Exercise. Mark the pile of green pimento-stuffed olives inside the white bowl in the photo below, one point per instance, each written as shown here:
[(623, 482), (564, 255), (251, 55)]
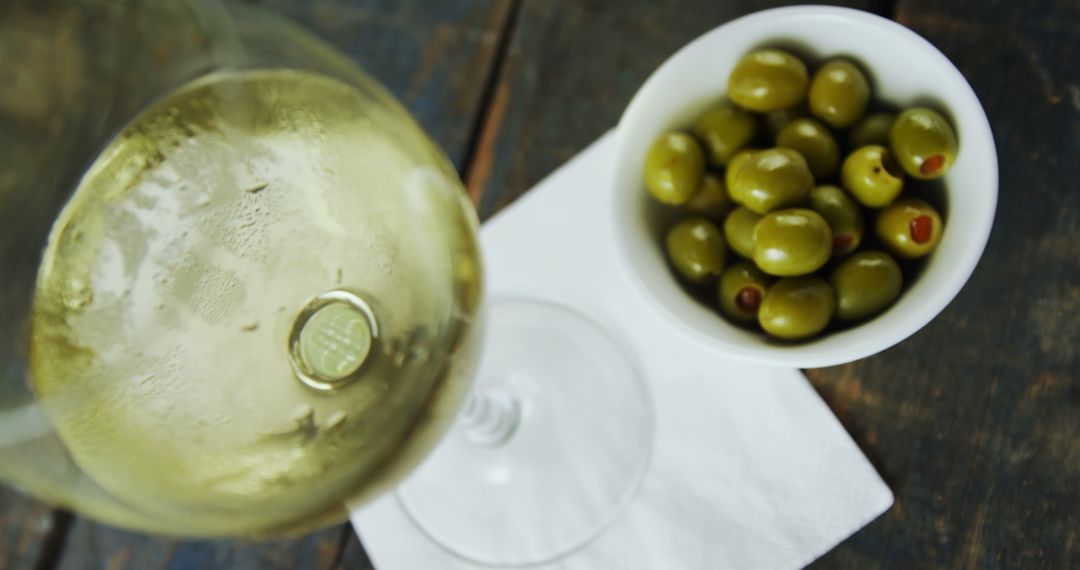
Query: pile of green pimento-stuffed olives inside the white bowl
[(793, 215)]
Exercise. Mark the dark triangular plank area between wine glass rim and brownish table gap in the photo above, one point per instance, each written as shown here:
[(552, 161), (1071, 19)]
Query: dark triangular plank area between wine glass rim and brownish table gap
[(435, 57)]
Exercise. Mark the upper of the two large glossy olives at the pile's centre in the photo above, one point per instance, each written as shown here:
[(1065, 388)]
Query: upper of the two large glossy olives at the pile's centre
[(773, 180)]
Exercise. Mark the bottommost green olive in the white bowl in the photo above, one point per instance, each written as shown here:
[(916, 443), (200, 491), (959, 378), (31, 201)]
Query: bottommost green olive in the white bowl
[(798, 308)]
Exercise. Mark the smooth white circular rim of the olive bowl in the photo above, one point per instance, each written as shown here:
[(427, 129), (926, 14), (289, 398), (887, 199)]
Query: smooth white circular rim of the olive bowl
[(817, 354)]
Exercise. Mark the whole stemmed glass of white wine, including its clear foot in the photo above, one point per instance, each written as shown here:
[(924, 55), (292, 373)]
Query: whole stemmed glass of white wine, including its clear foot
[(242, 294)]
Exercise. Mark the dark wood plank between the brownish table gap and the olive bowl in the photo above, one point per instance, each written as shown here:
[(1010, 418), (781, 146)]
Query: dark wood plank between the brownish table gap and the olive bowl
[(572, 70)]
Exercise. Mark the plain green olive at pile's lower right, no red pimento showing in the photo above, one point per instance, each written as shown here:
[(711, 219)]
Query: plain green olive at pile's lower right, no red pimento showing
[(866, 284)]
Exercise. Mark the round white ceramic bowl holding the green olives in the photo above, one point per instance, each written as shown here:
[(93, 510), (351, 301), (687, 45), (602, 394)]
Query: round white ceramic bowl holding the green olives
[(904, 71)]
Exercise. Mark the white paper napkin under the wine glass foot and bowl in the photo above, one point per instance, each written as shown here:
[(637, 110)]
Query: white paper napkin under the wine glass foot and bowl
[(751, 470)]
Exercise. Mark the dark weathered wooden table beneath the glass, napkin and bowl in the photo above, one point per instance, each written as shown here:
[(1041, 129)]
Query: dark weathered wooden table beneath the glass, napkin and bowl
[(975, 423)]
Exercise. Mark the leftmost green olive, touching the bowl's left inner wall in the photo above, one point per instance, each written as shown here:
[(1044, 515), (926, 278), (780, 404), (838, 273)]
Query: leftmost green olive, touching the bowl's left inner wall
[(674, 168)]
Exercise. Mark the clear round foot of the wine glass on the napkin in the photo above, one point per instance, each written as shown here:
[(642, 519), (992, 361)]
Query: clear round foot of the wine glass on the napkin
[(550, 451)]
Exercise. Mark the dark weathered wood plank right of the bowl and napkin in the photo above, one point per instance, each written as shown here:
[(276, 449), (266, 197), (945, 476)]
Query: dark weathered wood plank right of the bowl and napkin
[(976, 422)]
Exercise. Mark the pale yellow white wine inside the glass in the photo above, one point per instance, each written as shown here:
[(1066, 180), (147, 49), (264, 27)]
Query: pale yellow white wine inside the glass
[(260, 302)]
